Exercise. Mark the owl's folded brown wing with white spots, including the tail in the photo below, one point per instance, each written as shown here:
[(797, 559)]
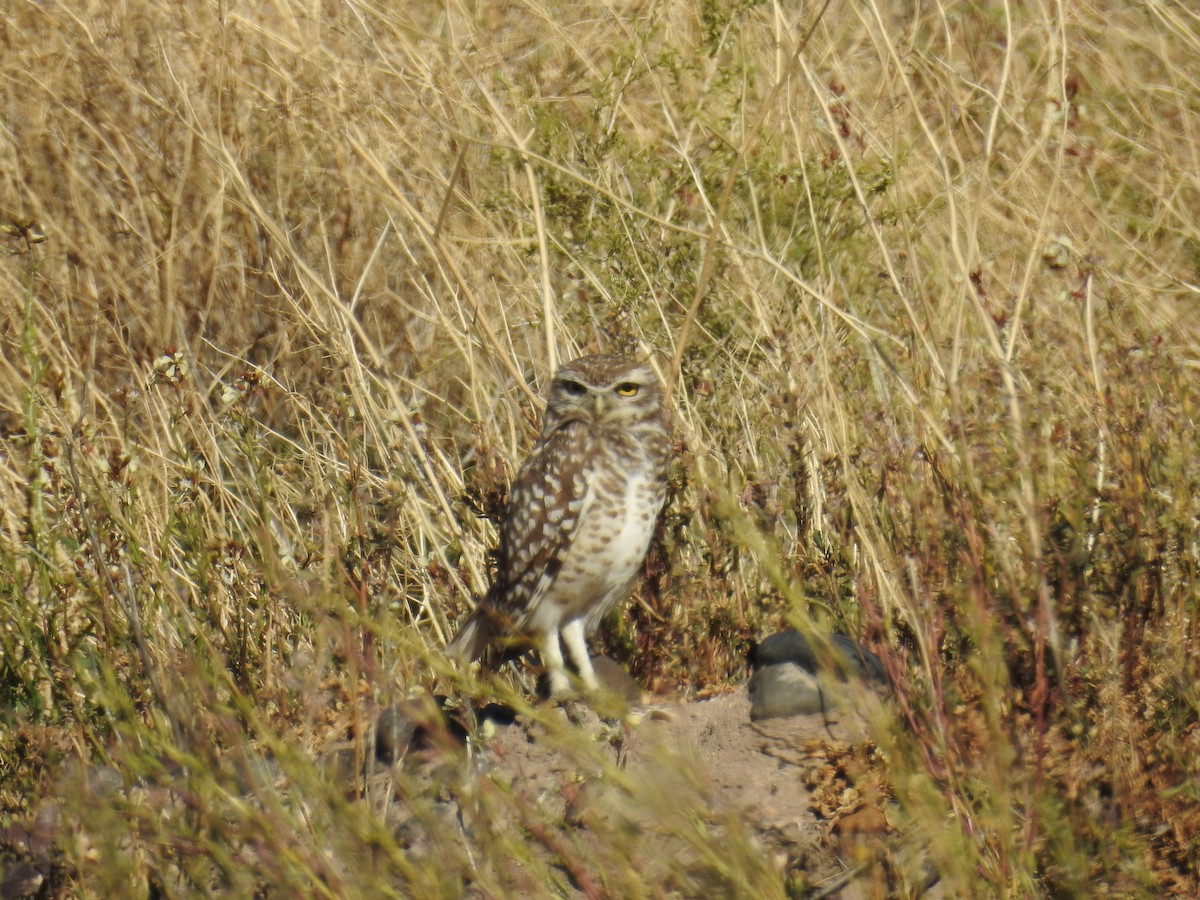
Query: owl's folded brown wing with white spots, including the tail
[(549, 500)]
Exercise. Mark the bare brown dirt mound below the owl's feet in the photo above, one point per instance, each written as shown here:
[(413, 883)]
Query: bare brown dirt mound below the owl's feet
[(807, 795)]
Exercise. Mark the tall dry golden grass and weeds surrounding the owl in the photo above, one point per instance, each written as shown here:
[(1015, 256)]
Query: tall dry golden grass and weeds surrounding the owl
[(931, 283)]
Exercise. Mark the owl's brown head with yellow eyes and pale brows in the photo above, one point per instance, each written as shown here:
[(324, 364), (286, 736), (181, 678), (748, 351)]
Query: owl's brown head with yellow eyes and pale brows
[(604, 389)]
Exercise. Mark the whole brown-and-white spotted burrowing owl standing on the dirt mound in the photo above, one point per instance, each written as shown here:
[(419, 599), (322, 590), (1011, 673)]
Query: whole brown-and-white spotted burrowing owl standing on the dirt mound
[(580, 517)]
